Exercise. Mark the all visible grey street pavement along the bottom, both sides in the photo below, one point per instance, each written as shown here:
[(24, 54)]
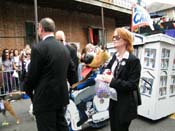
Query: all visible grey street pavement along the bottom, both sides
[(28, 124)]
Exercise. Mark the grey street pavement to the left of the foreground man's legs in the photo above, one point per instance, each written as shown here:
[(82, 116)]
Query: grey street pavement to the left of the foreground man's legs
[(27, 123)]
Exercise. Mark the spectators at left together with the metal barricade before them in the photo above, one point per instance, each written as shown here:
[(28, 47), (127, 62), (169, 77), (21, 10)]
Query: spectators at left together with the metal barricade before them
[(14, 65)]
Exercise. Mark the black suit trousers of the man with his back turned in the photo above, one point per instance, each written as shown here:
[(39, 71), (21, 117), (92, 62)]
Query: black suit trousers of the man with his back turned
[(52, 121)]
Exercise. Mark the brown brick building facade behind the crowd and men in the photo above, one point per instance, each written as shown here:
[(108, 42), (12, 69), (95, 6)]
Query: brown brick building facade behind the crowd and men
[(17, 24)]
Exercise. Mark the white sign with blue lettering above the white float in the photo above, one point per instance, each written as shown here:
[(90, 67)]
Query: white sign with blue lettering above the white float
[(140, 17)]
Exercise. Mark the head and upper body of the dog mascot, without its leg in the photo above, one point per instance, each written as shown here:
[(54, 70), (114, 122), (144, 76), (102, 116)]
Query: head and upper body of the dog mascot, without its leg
[(94, 58)]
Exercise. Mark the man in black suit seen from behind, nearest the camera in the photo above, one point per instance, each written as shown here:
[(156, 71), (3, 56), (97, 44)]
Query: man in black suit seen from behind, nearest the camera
[(47, 79)]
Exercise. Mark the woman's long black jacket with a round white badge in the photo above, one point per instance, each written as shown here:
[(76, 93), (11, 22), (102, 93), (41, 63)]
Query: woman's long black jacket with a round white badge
[(126, 83)]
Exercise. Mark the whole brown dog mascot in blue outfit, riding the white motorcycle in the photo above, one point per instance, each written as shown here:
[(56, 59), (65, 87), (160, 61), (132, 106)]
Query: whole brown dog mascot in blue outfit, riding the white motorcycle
[(94, 58)]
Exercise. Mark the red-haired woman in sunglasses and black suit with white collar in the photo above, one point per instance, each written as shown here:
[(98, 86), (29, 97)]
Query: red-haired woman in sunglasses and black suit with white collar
[(123, 80)]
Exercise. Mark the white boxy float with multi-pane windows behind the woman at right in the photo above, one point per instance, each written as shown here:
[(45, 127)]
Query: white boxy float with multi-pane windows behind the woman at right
[(157, 84)]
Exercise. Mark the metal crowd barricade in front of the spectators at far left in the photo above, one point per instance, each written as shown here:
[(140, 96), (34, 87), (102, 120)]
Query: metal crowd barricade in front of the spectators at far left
[(9, 82)]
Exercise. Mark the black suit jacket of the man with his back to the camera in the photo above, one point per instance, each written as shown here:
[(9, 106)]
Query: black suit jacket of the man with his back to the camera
[(47, 76)]
